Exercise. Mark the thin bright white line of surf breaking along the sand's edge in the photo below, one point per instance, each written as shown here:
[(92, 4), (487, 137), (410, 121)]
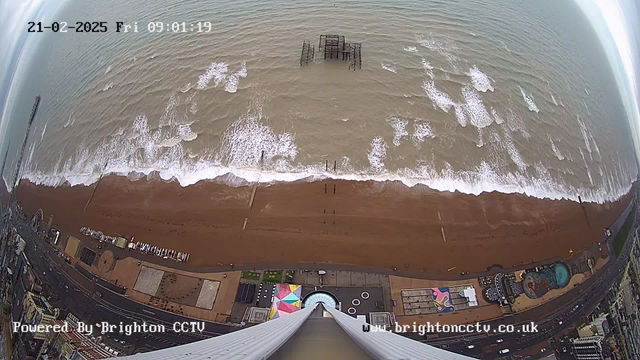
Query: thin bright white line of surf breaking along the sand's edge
[(463, 182)]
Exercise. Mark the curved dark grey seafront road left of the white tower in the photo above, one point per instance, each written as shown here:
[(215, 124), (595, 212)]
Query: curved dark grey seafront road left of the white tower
[(78, 294)]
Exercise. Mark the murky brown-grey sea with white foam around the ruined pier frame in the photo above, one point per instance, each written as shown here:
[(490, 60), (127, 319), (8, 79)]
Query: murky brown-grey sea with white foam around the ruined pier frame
[(514, 96)]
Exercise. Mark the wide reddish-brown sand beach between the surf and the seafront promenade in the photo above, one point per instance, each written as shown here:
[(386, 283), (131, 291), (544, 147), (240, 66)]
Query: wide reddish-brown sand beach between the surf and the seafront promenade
[(375, 224)]
